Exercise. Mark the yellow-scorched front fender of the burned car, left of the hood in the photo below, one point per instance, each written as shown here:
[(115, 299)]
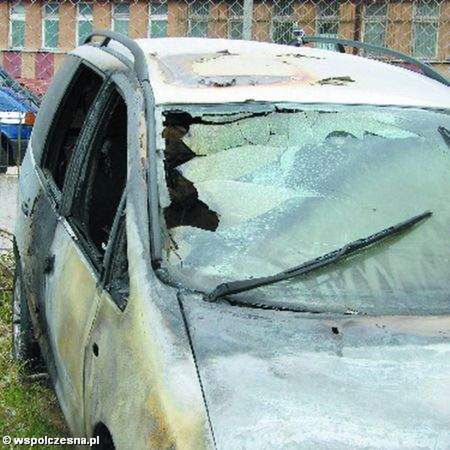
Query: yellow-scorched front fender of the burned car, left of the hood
[(141, 378)]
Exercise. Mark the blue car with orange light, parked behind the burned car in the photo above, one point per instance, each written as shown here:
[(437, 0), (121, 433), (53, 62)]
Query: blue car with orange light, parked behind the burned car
[(18, 108)]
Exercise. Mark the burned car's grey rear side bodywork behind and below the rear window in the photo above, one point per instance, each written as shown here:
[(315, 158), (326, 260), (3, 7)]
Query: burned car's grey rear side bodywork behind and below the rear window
[(37, 211)]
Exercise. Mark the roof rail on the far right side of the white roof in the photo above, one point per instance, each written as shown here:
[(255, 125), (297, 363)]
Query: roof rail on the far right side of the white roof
[(301, 38)]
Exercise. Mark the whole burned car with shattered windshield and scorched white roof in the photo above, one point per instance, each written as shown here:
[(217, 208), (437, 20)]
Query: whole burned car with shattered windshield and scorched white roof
[(229, 244)]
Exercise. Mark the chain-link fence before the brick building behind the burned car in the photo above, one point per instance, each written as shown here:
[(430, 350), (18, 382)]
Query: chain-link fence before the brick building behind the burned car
[(35, 34)]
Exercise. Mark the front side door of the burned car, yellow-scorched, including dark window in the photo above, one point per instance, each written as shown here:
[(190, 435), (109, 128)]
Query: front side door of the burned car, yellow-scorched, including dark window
[(93, 188)]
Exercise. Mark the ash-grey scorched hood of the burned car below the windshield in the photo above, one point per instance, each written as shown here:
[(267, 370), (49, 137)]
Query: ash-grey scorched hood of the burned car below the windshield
[(279, 379)]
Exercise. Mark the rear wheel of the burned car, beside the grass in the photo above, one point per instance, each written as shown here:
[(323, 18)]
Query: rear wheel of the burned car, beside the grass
[(25, 348)]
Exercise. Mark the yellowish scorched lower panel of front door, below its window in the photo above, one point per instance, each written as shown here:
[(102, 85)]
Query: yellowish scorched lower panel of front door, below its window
[(70, 308)]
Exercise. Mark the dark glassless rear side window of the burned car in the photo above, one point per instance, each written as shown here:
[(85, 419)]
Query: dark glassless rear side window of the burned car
[(68, 122)]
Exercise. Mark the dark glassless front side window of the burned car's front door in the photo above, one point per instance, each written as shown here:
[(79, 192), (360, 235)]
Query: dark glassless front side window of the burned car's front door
[(102, 181)]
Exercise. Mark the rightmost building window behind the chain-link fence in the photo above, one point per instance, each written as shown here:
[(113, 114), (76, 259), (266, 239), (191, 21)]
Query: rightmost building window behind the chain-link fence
[(425, 28)]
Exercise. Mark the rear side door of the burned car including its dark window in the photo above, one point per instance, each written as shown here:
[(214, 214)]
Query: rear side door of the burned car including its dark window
[(58, 128)]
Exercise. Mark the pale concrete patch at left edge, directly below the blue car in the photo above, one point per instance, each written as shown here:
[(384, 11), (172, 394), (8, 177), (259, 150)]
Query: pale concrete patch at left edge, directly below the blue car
[(8, 201)]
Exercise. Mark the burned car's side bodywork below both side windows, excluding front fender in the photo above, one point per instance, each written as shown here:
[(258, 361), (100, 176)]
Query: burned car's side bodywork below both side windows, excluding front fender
[(60, 288)]
